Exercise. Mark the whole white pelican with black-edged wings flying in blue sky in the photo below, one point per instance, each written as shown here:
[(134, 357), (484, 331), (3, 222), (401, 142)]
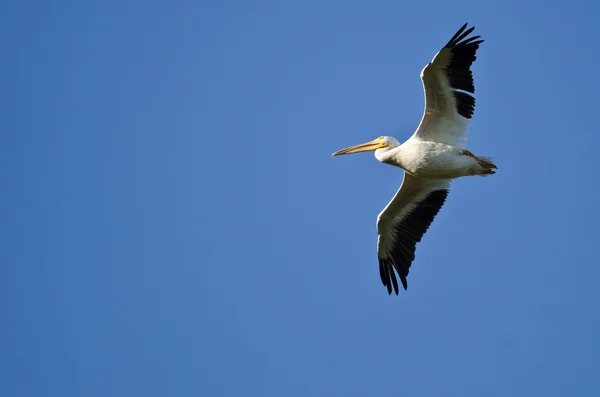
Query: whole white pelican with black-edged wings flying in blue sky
[(433, 156)]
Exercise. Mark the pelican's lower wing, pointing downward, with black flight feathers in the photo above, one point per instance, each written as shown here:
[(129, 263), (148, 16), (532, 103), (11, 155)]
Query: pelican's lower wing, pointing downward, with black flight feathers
[(402, 224)]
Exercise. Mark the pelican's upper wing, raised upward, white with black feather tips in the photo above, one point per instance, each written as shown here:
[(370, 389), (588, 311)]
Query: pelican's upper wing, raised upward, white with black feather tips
[(448, 85)]
